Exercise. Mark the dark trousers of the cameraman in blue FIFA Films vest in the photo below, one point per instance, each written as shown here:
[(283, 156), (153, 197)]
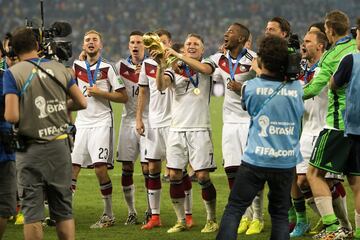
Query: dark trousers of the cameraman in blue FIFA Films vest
[(249, 181)]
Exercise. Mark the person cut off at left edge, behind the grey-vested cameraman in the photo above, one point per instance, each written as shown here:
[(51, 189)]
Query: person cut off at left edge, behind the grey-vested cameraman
[(7, 156)]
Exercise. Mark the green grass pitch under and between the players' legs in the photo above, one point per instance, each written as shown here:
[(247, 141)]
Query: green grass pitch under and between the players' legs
[(88, 204)]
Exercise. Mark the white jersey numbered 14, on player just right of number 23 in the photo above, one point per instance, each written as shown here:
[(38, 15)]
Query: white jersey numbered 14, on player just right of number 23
[(127, 72)]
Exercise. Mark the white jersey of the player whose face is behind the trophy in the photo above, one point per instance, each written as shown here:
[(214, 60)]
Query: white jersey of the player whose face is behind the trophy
[(160, 101)]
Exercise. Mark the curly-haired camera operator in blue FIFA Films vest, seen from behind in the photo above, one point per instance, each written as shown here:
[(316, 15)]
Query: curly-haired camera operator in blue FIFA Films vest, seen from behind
[(273, 148)]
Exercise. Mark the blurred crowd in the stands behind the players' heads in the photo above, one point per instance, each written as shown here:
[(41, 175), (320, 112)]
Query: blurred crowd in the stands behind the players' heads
[(116, 19)]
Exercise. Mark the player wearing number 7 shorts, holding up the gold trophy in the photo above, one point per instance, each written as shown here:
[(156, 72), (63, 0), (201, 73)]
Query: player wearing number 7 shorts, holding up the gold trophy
[(189, 139)]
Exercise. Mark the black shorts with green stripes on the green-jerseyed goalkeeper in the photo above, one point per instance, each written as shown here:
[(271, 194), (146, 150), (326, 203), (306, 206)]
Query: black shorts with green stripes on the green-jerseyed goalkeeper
[(333, 152)]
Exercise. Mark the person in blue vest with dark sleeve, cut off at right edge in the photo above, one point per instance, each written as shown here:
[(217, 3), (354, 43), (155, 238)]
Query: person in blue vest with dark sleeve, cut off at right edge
[(348, 74)]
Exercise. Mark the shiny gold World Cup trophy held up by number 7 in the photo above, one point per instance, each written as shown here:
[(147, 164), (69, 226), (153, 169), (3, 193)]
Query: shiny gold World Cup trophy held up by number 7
[(153, 42)]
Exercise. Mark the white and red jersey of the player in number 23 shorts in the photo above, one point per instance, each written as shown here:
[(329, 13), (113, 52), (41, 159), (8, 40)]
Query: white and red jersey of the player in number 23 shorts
[(98, 111)]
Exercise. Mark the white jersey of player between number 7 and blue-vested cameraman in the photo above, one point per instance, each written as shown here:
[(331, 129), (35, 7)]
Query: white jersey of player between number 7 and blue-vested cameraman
[(232, 110)]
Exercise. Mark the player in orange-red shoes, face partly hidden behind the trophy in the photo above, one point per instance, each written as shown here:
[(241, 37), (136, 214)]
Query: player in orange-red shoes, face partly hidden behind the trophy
[(159, 103)]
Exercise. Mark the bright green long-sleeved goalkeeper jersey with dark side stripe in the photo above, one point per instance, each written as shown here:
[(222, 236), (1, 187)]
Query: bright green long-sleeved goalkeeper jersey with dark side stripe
[(327, 66)]
